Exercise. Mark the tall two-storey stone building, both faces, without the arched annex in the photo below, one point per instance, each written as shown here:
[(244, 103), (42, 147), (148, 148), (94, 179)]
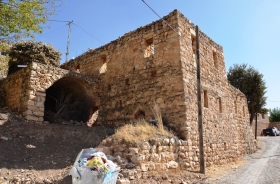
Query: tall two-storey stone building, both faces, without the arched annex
[(169, 76)]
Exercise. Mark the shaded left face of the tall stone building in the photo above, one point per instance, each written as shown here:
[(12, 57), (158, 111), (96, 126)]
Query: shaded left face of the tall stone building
[(133, 78)]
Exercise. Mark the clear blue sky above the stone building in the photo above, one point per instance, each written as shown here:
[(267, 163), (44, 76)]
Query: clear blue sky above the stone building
[(248, 30)]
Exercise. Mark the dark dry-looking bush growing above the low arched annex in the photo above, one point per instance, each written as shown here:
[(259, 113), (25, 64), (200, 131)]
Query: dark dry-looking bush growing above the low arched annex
[(25, 52)]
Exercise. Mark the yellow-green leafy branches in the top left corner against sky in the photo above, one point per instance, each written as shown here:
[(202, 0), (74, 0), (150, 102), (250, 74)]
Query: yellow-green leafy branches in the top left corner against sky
[(23, 18)]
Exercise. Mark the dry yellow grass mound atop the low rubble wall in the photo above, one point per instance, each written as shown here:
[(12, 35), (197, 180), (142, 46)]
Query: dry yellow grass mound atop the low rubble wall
[(141, 131)]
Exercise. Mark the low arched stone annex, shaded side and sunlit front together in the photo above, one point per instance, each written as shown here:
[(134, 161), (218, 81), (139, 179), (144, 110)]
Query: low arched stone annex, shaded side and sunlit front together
[(26, 89)]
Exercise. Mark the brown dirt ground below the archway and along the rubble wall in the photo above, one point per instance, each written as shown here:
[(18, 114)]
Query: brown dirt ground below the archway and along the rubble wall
[(44, 153)]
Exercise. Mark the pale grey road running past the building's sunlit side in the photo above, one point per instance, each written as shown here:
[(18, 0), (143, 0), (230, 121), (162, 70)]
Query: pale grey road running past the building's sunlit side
[(263, 167)]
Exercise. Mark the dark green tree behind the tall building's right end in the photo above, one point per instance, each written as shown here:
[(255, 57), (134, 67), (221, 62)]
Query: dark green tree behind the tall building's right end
[(250, 82)]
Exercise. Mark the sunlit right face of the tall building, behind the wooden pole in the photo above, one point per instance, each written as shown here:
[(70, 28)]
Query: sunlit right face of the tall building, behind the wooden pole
[(225, 111)]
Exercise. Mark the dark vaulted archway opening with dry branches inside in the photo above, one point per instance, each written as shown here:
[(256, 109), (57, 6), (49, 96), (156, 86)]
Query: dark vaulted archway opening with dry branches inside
[(68, 99)]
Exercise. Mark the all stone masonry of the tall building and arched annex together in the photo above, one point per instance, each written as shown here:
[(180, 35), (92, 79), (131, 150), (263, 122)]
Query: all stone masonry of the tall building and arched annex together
[(121, 80)]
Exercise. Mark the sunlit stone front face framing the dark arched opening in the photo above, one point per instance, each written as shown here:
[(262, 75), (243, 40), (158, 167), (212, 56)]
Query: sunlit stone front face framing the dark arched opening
[(42, 77)]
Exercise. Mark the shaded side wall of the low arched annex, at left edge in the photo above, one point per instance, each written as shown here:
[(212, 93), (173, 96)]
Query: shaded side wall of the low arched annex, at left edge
[(15, 88)]
